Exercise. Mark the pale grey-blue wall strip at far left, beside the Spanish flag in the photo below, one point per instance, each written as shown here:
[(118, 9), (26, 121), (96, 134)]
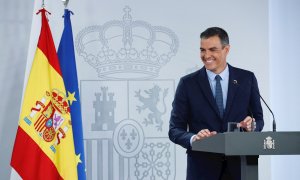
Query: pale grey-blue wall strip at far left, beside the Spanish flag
[(15, 22)]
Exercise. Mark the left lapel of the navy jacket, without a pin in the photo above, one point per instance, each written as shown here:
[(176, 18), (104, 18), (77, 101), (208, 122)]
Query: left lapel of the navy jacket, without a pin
[(205, 87)]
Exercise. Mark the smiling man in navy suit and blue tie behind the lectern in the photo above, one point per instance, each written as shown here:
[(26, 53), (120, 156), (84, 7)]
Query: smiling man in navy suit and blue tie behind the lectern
[(206, 100)]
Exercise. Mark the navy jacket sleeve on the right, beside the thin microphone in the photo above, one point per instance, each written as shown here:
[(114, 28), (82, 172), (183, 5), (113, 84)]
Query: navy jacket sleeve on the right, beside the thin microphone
[(256, 105)]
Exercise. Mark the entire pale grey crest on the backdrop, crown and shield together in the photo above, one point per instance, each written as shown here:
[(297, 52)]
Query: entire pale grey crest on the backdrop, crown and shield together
[(126, 110)]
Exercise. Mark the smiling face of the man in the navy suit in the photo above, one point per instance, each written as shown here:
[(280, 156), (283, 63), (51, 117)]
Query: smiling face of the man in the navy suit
[(213, 54)]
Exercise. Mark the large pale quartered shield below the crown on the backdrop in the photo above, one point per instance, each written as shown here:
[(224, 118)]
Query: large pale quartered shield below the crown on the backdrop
[(125, 129)]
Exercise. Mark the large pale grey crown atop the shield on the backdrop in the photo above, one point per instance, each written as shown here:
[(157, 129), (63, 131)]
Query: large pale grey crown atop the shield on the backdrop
[(127, 49)]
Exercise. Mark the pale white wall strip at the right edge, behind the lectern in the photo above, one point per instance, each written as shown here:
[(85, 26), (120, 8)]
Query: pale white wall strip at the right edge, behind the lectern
[(284, 36)]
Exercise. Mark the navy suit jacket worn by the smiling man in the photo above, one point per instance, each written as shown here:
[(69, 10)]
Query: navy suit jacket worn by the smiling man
[(194, 109)]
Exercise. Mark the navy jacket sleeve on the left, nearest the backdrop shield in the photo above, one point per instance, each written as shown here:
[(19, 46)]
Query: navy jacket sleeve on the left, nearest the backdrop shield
[(180, 116)]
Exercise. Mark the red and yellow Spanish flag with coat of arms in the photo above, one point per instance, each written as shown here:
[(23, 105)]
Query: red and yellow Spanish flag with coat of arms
[(44, 145)]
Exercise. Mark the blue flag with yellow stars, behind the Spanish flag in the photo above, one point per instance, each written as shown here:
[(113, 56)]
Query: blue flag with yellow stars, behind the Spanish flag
[(66, 57)]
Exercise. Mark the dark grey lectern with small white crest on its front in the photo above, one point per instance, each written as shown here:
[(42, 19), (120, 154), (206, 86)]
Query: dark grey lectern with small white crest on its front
[(249, 145)]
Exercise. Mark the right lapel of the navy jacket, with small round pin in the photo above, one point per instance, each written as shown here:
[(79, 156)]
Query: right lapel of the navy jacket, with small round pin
[(233, 85)]
